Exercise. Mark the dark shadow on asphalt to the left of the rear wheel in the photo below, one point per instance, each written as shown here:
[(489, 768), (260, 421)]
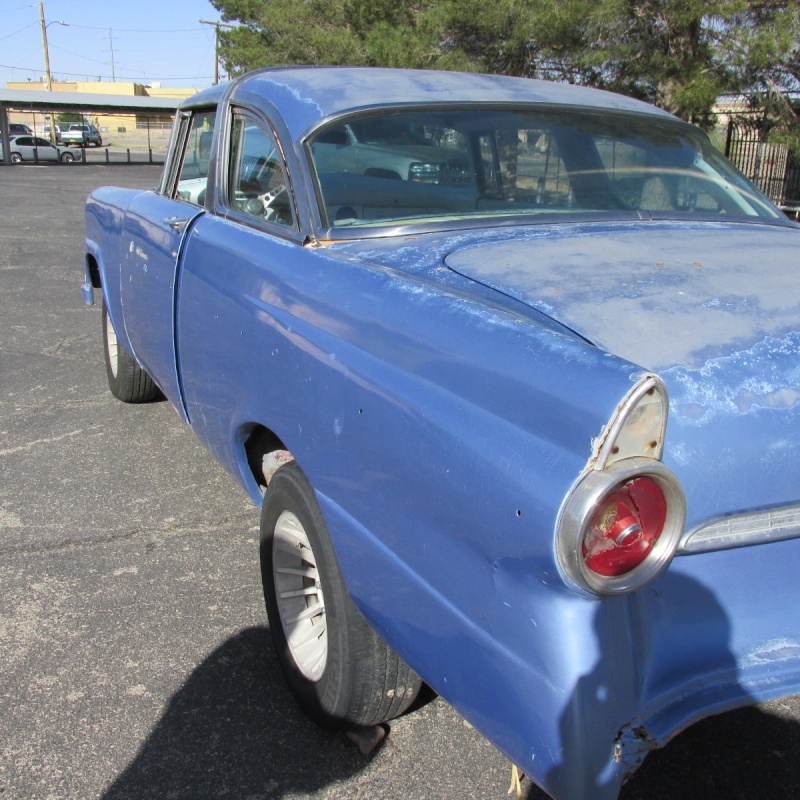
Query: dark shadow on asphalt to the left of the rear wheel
[(233, 730)]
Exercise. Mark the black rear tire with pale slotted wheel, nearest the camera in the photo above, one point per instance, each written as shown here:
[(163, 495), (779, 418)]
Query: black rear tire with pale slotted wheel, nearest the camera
[(362, 681)]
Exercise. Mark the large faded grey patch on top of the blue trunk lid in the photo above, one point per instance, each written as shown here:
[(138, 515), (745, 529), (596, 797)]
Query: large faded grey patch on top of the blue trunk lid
[(656, 294)]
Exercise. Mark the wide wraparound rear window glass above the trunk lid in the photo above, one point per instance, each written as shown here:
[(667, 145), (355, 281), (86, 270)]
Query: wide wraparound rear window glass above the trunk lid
[(434, 165)]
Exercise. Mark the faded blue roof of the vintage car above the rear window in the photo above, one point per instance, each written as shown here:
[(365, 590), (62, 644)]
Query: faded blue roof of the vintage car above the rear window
[(304, 96)]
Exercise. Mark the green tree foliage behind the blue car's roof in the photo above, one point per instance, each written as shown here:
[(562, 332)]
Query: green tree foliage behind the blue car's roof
[(679, 54)]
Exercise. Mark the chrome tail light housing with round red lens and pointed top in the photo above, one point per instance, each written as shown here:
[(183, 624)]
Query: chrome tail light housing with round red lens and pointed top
[(621, 523)]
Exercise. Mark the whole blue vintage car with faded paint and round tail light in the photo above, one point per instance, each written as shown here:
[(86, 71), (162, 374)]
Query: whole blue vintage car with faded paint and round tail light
[(512, 369)]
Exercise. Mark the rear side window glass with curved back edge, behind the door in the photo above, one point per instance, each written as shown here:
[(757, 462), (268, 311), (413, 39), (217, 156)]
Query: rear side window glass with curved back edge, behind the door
[(257, 183)]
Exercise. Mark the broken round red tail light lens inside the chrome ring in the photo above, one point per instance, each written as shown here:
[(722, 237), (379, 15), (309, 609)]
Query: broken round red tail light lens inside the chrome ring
[(624, 527)]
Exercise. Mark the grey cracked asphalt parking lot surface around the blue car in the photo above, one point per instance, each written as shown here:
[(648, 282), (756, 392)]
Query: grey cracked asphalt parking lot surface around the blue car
[(134, 652)]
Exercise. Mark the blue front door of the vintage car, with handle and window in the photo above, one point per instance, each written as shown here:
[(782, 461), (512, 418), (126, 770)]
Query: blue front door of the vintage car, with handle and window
[(156, 226)]
